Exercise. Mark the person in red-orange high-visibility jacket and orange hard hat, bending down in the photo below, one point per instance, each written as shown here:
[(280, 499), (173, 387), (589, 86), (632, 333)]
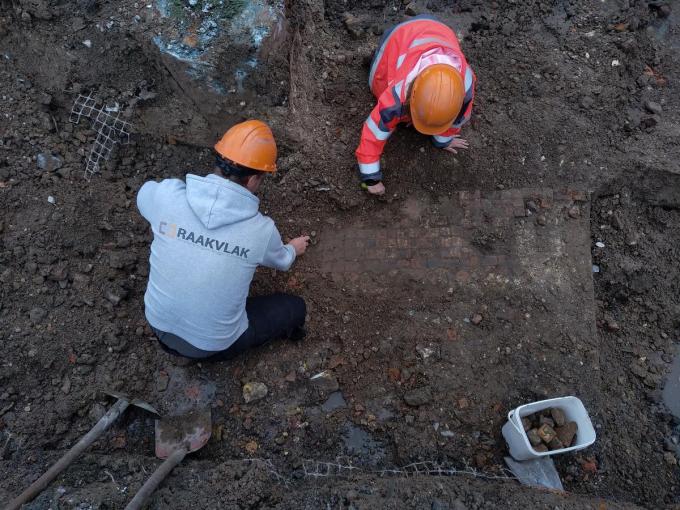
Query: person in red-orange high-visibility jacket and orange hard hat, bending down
[(419, 75)]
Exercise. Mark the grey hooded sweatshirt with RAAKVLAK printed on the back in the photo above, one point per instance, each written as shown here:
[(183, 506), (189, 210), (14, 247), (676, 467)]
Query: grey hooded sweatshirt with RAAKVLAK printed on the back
[(208, 239)]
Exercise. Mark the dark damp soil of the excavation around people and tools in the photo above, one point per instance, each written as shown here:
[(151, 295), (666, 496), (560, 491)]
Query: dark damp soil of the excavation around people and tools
[(541, 262)]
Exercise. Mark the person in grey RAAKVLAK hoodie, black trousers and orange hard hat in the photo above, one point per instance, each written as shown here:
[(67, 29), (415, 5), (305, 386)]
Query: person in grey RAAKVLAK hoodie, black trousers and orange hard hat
[(209, 238)]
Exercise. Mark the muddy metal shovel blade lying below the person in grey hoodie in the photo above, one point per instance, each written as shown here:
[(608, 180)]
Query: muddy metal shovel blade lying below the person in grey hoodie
[(190, 431)]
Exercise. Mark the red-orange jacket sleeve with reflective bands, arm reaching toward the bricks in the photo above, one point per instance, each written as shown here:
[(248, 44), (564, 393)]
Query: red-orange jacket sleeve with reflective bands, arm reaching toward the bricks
[(377, 128)]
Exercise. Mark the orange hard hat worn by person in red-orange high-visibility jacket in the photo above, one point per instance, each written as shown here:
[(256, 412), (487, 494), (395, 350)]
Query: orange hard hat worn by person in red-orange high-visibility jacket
[(436, 99)]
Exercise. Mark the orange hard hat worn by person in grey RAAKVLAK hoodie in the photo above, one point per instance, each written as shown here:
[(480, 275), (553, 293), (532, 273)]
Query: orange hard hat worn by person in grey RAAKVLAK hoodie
[(250, 144)]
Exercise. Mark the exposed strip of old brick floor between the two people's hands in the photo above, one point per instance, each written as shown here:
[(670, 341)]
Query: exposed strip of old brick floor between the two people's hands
[(469, 236)]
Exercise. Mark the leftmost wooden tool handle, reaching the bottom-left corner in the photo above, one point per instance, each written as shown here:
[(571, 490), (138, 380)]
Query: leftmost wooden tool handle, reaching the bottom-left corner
[(89, 438)]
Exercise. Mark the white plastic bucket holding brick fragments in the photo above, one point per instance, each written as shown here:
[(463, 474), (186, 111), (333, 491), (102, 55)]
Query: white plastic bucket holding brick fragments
[(574, 410)]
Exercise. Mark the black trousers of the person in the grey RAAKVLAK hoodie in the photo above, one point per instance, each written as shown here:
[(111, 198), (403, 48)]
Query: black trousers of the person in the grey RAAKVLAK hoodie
[(269, 318)]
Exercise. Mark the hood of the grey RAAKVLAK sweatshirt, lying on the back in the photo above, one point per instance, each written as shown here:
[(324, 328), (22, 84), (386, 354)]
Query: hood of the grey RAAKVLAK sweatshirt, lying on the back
[(218, 202)]
